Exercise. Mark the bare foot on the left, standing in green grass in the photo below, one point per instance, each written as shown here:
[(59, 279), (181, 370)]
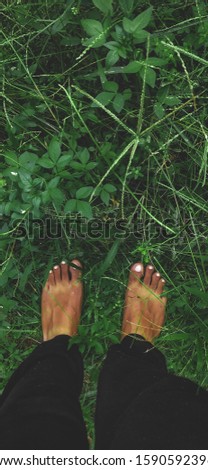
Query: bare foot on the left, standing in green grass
[(62, 301)]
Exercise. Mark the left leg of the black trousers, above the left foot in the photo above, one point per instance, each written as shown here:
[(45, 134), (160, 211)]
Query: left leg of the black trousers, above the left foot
[(40, 406)]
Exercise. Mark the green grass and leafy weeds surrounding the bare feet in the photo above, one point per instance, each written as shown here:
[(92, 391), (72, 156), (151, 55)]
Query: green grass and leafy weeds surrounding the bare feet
[(114, 127)]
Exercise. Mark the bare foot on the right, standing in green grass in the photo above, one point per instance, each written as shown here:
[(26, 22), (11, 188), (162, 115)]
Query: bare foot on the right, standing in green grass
[(144, 309)]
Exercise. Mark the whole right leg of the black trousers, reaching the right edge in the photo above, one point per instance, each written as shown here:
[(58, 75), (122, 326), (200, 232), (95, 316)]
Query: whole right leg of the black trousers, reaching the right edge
[(141, 406)]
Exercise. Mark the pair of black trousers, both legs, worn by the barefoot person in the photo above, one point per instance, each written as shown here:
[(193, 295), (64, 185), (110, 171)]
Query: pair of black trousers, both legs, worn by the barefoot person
[(139, 404)]
